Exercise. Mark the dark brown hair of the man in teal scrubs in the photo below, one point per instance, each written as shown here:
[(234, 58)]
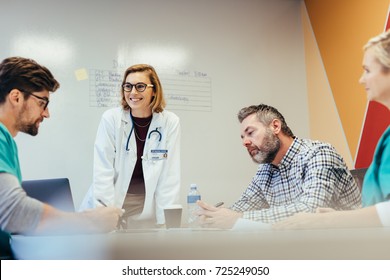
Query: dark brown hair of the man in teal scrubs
[(26, 75)]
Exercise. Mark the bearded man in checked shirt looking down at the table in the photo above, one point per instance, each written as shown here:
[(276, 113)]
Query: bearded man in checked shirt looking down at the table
[(294, 175)]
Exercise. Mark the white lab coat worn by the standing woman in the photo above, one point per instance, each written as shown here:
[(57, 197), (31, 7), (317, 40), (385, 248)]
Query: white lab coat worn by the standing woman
[(113, 165)]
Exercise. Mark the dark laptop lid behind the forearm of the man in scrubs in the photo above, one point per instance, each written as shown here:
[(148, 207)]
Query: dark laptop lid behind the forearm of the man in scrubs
[(55, 192)]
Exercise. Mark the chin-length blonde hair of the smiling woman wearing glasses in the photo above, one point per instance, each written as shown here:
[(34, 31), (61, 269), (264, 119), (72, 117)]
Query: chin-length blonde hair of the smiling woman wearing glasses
[(158, 102)]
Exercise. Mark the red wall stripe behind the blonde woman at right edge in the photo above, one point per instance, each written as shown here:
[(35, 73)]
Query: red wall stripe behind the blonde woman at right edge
[(376, 122)]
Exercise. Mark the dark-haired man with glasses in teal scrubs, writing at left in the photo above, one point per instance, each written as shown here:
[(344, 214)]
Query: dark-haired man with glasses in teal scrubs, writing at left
[(24, 99)]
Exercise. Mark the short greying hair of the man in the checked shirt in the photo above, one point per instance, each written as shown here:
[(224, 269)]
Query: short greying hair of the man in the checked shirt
[(265, 114)]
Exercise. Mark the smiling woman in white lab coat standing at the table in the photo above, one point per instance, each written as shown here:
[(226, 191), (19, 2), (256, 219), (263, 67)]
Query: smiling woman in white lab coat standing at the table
[(137, 152)]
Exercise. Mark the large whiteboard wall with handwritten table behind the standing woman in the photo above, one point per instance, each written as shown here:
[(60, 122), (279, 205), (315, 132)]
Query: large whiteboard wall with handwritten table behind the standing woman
[(230, 53)]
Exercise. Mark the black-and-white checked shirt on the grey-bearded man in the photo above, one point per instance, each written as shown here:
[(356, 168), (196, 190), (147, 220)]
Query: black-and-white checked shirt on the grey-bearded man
[(311, 174)]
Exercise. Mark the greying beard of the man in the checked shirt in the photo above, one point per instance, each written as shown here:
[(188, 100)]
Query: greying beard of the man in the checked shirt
[(266, 152)]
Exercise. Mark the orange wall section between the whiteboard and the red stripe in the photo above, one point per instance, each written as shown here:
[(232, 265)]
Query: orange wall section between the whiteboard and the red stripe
[(341, 28)]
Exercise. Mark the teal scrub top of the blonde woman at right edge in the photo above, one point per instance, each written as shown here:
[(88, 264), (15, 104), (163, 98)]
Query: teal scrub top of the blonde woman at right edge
[(376, 184)]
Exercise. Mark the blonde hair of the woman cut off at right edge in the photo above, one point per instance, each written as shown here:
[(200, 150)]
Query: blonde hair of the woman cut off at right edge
[(381, 46)]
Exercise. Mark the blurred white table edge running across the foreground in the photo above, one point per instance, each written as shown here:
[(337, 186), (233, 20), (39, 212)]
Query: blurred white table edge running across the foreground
[(187, 244)]
